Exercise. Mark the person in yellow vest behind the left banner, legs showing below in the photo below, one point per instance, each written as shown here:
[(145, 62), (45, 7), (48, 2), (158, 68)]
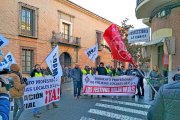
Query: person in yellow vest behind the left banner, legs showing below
[(36, 72)]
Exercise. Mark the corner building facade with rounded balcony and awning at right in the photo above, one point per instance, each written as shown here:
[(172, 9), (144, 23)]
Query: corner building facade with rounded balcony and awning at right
[(163, 17)]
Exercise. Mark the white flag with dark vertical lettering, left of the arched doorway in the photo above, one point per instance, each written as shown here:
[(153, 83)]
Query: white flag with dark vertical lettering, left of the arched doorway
[(53, 63)]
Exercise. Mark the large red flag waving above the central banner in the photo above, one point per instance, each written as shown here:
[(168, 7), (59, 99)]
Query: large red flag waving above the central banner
[(115, 42)]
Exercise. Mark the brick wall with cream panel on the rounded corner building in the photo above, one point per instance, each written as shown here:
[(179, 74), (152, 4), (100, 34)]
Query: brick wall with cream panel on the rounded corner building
[(170, 22)]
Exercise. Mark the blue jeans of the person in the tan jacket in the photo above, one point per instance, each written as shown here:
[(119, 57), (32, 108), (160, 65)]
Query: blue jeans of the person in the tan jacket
[(18, 107)]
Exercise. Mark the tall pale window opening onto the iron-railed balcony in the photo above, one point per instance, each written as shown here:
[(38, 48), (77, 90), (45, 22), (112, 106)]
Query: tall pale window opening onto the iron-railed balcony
[(66, 30)]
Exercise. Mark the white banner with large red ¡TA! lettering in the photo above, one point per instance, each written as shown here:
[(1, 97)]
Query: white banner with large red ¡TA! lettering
[(41, 91)]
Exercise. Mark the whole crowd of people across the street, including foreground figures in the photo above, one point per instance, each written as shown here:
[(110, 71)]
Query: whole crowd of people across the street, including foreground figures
[(165, 93)]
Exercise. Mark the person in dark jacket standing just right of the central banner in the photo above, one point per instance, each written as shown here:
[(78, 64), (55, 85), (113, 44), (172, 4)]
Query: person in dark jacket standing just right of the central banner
[(155, 77)]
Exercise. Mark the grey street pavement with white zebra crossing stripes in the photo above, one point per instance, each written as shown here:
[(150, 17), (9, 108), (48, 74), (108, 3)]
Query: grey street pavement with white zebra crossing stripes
[(87, 108)]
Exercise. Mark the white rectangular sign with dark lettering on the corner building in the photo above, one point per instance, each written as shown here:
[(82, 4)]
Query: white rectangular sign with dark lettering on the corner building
[(139, 35)]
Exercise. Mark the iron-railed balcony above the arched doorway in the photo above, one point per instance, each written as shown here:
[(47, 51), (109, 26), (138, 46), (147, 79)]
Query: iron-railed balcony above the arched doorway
[(65, 39)]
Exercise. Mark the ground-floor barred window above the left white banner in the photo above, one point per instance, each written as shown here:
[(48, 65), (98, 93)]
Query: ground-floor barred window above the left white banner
[(27, 60)]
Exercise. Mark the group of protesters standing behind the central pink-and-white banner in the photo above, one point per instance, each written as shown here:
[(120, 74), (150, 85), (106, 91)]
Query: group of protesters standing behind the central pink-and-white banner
[(76, 74)]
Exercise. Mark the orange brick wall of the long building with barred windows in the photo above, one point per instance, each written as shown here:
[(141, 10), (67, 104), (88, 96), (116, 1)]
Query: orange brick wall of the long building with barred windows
[(84, 26)]
